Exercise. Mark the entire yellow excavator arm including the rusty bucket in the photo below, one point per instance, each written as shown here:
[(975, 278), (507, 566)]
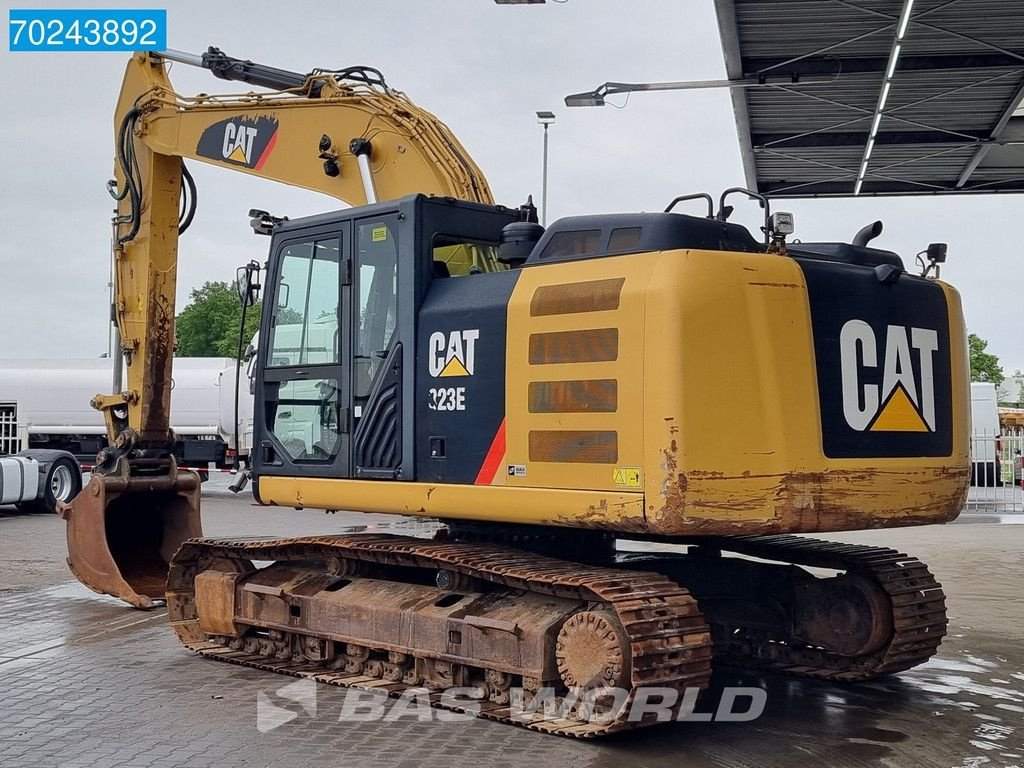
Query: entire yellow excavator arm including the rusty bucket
[(345, 134)]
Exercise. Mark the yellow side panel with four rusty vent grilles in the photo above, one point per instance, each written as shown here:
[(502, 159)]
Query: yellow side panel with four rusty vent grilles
[(576, 375)]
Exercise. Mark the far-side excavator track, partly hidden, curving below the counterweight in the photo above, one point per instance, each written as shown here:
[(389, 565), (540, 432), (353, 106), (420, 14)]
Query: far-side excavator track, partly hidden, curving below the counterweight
[(917, 601)]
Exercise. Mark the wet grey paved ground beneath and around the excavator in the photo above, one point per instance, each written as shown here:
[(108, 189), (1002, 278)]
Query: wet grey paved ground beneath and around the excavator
[(86, 681)]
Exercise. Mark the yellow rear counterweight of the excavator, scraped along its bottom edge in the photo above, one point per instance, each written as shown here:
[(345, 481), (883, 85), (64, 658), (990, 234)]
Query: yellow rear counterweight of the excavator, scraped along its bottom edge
[(735, 442)]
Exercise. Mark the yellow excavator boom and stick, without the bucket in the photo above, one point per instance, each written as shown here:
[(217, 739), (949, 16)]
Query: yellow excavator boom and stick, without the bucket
[(316, 136)]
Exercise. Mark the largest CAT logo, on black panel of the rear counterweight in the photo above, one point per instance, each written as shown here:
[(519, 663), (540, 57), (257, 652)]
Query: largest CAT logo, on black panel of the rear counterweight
[(904, 402)]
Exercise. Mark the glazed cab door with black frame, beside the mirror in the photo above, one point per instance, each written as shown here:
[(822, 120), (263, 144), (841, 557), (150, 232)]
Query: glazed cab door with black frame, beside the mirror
[(305, 394)]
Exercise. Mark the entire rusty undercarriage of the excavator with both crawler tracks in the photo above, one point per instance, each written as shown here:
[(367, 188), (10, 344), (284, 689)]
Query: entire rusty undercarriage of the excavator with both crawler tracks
[(517, 635)]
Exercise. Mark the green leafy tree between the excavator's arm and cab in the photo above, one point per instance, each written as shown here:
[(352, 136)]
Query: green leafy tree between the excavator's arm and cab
[(208, 327)]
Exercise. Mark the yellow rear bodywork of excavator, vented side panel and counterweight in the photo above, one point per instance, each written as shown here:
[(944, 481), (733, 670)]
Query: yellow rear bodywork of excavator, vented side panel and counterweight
[(719, 404)]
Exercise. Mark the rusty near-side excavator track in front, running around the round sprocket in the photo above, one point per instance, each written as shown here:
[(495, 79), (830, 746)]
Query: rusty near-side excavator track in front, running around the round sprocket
[(659, 624)]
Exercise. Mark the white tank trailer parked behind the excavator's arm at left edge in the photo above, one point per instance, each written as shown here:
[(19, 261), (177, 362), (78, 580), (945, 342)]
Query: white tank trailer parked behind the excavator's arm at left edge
[(50, 401)]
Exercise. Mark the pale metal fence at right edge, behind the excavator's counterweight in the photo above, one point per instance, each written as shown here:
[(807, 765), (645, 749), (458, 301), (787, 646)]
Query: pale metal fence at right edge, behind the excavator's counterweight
[(996, 478)]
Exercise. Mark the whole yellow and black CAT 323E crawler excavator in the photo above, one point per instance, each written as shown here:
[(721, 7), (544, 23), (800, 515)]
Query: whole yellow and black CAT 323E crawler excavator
[(550, 397)]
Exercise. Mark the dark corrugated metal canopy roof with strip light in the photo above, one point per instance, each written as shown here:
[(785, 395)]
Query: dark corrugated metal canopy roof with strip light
[(941, 121)]
